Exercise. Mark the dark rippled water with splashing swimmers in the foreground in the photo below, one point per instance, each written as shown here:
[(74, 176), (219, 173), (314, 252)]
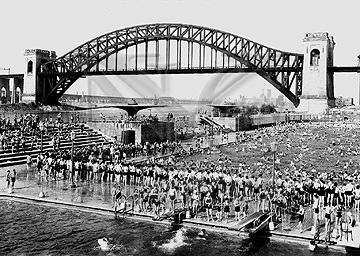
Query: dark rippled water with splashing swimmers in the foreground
[(31, 229)]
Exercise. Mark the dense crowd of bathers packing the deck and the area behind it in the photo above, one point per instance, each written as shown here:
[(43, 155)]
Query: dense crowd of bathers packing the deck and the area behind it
[(218, 188)]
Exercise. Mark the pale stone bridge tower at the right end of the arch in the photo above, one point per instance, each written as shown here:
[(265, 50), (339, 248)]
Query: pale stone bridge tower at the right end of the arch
[(318, 83)]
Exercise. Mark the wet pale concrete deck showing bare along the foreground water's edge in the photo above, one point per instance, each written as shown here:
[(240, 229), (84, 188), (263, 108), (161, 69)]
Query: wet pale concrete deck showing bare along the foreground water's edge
[(60, 194)]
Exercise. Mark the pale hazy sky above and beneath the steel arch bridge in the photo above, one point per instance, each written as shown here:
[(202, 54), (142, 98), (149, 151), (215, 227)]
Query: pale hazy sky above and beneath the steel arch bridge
[(63, 25)]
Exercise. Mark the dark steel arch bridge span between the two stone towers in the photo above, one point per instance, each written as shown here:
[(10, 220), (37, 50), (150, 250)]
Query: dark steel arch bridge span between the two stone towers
[(170, 49)]
